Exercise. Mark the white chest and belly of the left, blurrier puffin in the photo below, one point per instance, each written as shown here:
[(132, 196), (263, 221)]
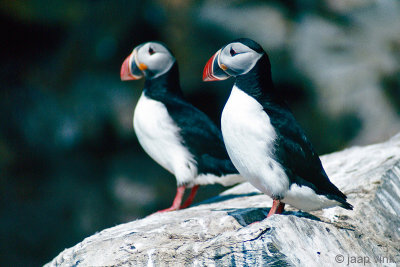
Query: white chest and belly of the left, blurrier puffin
[(159, 136)]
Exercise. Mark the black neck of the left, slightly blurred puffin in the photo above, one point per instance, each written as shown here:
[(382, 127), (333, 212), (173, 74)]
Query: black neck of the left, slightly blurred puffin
[(168, 83)]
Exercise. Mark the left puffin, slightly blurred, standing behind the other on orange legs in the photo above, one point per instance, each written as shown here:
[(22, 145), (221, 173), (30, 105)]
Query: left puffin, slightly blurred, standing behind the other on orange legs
[(174, 133)]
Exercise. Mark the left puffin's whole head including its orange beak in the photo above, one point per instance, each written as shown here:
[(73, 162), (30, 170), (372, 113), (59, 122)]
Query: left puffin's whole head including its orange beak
[(151, 59)]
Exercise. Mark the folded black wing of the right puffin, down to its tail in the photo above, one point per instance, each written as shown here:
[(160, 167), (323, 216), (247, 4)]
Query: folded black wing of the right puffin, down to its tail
[(295, 153)]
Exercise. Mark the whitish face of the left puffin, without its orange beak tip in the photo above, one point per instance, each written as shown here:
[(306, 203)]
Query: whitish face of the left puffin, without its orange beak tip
[(153, 59)]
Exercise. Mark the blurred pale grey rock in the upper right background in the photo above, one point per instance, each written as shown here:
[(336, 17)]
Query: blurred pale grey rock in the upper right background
[(348, 64)]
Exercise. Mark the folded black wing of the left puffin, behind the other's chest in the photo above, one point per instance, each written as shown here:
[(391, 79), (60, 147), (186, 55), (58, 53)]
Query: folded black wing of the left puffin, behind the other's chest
[(201, 136)]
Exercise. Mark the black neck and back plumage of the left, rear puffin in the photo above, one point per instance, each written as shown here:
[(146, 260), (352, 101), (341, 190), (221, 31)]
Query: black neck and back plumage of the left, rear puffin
[(199, 134)]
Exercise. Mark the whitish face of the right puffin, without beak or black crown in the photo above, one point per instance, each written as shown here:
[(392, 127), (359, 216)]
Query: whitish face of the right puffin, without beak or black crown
[(237, 59)]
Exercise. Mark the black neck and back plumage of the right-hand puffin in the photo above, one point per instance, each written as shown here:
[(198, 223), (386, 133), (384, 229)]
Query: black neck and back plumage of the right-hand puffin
[(291, 148)]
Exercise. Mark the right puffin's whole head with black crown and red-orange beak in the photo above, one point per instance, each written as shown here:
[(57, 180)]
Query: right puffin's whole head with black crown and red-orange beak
[(234, 59)]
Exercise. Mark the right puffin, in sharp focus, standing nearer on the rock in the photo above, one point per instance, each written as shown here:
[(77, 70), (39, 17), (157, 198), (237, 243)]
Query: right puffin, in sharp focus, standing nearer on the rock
[(263, 139)]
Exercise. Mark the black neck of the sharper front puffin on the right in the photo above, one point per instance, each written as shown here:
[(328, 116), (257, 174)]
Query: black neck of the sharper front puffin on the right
[(258, 81)]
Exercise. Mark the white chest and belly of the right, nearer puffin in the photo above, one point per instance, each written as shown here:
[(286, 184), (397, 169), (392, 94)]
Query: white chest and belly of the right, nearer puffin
[(249, 137)]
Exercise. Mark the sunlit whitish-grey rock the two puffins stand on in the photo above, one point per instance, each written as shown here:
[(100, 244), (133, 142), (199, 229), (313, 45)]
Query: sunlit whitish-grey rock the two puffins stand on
[(218, 232)]
